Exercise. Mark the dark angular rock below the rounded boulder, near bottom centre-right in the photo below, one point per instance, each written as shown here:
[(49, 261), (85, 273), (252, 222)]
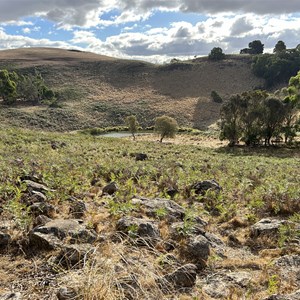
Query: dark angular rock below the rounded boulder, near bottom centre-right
[(183, 277)]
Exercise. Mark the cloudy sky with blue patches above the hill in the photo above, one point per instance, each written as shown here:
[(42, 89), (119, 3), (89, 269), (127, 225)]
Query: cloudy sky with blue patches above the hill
[(150, 30)]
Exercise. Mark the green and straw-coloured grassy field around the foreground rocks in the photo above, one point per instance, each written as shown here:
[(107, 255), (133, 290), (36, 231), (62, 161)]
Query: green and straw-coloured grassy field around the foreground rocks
[(256, 183)]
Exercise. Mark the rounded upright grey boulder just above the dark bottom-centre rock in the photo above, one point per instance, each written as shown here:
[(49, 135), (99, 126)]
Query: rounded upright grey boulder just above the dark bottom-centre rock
[(197, 251)]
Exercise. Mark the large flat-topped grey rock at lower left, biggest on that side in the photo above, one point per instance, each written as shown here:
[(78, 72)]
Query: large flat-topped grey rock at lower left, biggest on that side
[(56, 231)]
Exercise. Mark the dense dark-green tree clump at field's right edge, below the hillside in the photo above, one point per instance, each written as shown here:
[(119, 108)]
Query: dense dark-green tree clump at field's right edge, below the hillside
[(257, 116)]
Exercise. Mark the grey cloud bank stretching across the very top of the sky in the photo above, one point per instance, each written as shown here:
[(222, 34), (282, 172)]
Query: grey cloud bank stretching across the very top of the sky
[(87, 13)]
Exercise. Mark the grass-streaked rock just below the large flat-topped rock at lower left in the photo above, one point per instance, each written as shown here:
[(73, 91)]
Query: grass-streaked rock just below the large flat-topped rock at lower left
[(74, 255)]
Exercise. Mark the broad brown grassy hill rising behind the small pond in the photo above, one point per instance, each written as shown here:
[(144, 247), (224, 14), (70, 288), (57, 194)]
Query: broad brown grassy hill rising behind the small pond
[(100, 91)]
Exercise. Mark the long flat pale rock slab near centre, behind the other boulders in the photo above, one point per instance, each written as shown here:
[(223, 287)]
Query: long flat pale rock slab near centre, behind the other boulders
[(169, 209)]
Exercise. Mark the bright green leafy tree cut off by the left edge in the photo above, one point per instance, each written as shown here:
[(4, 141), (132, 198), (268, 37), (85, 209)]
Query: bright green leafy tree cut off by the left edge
[(8, 86)]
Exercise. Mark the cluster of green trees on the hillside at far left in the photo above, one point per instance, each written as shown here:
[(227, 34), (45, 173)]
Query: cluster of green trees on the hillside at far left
[(31, 88)]
